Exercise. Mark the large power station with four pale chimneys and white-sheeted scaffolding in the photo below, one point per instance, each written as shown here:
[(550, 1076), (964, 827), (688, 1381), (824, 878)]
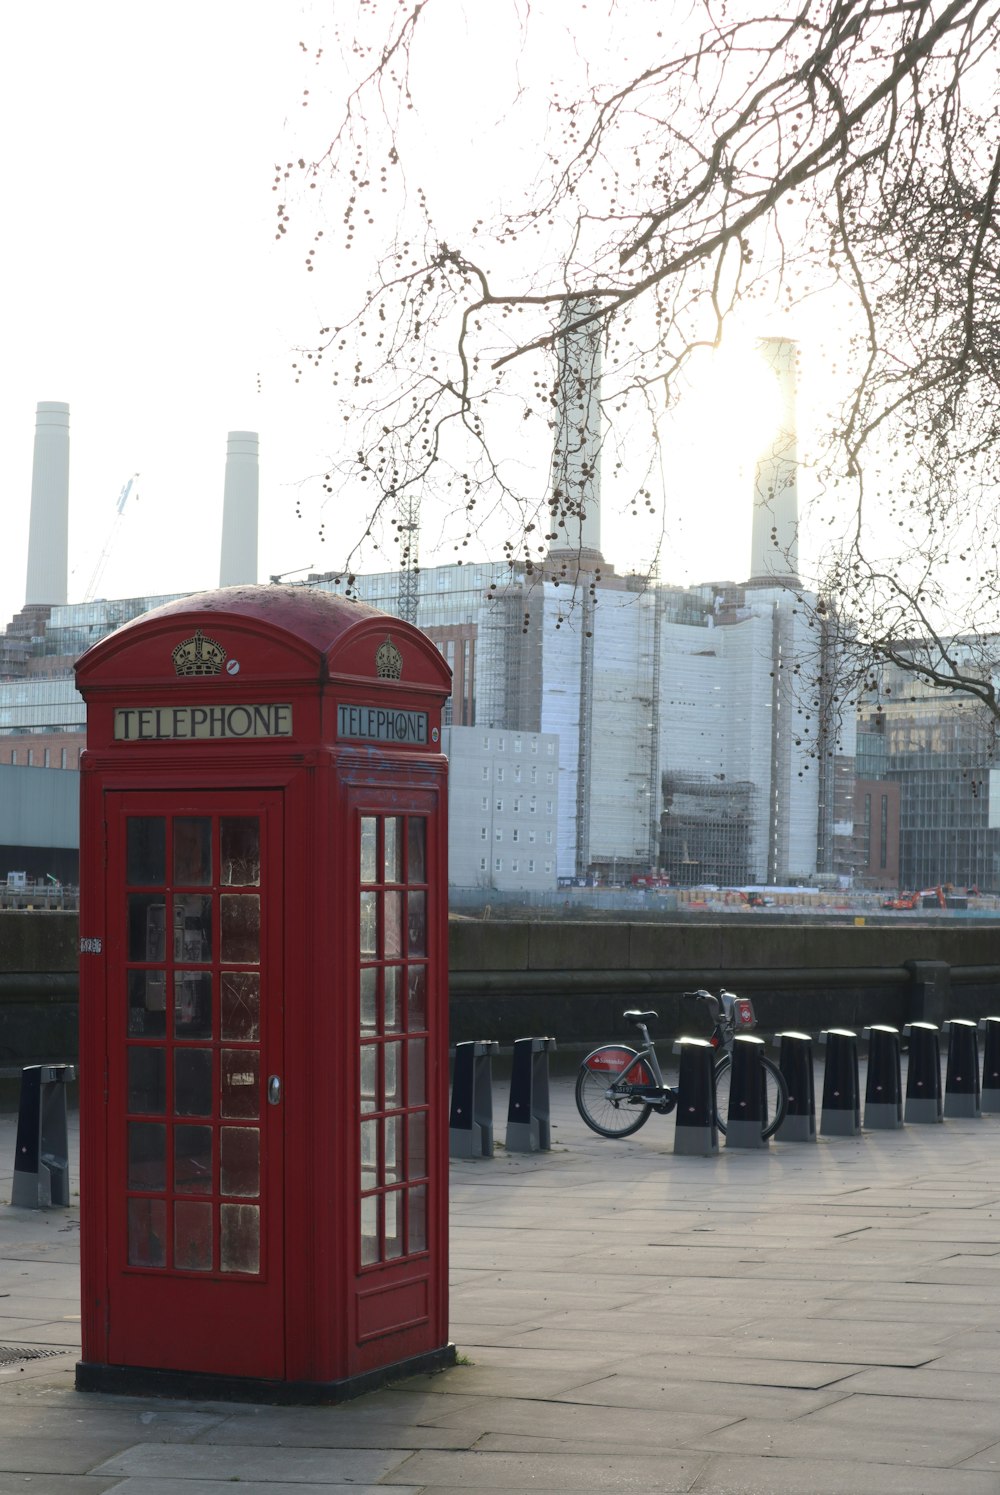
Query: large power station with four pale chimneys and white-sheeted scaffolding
[(661, 729)]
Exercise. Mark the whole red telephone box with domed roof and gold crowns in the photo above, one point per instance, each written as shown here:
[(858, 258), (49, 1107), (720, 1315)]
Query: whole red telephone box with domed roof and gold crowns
[(264, 999)]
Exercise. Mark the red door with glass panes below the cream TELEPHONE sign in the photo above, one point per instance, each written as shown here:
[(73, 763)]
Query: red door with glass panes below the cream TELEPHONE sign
[(195, 1106)]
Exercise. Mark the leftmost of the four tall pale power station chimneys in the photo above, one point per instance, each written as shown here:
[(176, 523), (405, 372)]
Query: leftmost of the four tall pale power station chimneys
[(49, 530)]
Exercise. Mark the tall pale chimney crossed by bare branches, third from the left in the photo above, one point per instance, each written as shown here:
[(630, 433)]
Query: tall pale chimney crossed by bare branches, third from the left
[(576, 461)]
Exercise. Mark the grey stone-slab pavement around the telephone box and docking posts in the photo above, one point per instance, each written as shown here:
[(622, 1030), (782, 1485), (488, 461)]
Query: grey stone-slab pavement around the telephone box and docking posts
[(814, 1319)]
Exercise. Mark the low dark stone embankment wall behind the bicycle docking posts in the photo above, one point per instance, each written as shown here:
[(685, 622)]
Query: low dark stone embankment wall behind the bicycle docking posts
[(575, 980)]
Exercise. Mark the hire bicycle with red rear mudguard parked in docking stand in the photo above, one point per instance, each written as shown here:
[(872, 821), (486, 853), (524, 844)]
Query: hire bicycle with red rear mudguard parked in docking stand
[(620, 1088)]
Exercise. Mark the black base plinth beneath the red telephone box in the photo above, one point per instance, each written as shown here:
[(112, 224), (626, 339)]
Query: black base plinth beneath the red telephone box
[(138, 1381)]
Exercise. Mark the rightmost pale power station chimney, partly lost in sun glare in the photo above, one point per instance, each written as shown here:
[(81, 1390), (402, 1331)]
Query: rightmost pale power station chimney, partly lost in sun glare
[(775, 540)]
